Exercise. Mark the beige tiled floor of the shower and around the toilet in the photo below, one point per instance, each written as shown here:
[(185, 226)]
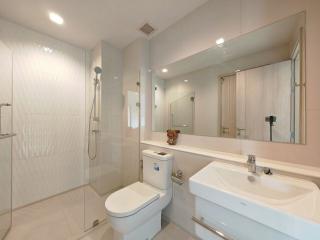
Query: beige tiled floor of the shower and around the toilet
[(62, 218)]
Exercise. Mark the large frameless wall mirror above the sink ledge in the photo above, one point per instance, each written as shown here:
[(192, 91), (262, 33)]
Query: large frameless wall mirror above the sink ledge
[(250, 87)]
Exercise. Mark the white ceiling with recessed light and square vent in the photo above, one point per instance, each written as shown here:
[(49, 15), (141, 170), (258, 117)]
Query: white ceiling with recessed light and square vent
[(89, 21)]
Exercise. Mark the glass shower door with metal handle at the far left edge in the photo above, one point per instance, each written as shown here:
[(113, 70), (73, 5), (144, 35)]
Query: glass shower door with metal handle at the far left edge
[(5, 138)]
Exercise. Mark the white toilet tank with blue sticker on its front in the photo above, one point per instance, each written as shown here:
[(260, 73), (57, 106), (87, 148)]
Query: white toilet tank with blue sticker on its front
[(157, 169)]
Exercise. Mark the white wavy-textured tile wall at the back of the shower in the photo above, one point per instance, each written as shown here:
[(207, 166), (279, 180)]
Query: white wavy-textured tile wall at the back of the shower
[(49, 114)]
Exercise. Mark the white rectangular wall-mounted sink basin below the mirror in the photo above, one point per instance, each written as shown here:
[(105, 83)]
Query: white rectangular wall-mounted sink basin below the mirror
[(287, 204)]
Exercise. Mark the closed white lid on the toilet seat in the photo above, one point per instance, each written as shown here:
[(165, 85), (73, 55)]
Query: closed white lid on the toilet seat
[(131, 199)]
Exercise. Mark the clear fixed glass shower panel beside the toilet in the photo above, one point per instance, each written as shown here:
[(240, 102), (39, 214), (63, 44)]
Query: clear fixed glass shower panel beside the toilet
[(113, 135)]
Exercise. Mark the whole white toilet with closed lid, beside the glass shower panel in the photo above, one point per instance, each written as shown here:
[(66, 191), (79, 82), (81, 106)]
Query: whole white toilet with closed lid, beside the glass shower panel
[(135, 211)]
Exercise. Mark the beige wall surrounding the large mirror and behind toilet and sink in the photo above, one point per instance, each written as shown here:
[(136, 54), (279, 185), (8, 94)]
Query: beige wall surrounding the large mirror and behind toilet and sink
[(198, 31)]
